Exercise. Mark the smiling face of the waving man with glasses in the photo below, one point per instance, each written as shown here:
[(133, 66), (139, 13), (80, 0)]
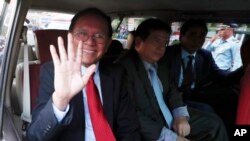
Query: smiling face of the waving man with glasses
[(92, 30)]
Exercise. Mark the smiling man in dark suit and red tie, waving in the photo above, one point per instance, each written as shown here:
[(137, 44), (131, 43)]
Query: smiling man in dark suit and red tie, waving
[(64, 111)]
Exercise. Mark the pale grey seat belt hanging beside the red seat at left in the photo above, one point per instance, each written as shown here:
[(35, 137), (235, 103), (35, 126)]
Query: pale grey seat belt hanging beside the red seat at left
[(26, 114)]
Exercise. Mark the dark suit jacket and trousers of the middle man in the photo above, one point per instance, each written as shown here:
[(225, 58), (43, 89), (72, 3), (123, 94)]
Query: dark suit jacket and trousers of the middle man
[(204, 126)]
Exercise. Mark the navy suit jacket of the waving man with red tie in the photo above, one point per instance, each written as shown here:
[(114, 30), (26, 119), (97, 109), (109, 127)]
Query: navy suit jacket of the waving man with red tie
[(117, 108)]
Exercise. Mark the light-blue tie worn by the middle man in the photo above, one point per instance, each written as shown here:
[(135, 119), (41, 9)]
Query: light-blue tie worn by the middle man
[(158, 93)]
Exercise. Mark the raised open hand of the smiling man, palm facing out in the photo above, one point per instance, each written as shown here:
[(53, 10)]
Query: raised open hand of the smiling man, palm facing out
[(68, 79)]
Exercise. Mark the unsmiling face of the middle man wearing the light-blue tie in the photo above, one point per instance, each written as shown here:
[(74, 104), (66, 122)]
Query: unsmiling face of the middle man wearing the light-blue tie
[(153, 47)]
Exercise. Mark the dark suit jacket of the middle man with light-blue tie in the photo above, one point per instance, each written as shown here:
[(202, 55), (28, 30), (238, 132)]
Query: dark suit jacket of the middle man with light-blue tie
[(143, 97)]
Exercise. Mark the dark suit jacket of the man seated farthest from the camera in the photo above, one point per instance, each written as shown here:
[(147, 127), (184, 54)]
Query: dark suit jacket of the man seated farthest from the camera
[(206, 71)]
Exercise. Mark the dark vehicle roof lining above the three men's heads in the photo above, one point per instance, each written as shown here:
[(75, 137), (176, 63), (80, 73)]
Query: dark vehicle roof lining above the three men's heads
[(211, 10)]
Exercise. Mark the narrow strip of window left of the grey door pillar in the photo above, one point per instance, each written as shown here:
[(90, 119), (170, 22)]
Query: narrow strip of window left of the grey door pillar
[(7, 9)]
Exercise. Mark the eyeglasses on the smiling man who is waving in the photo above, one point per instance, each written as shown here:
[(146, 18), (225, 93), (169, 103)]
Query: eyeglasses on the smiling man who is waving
[(84, 36)]
